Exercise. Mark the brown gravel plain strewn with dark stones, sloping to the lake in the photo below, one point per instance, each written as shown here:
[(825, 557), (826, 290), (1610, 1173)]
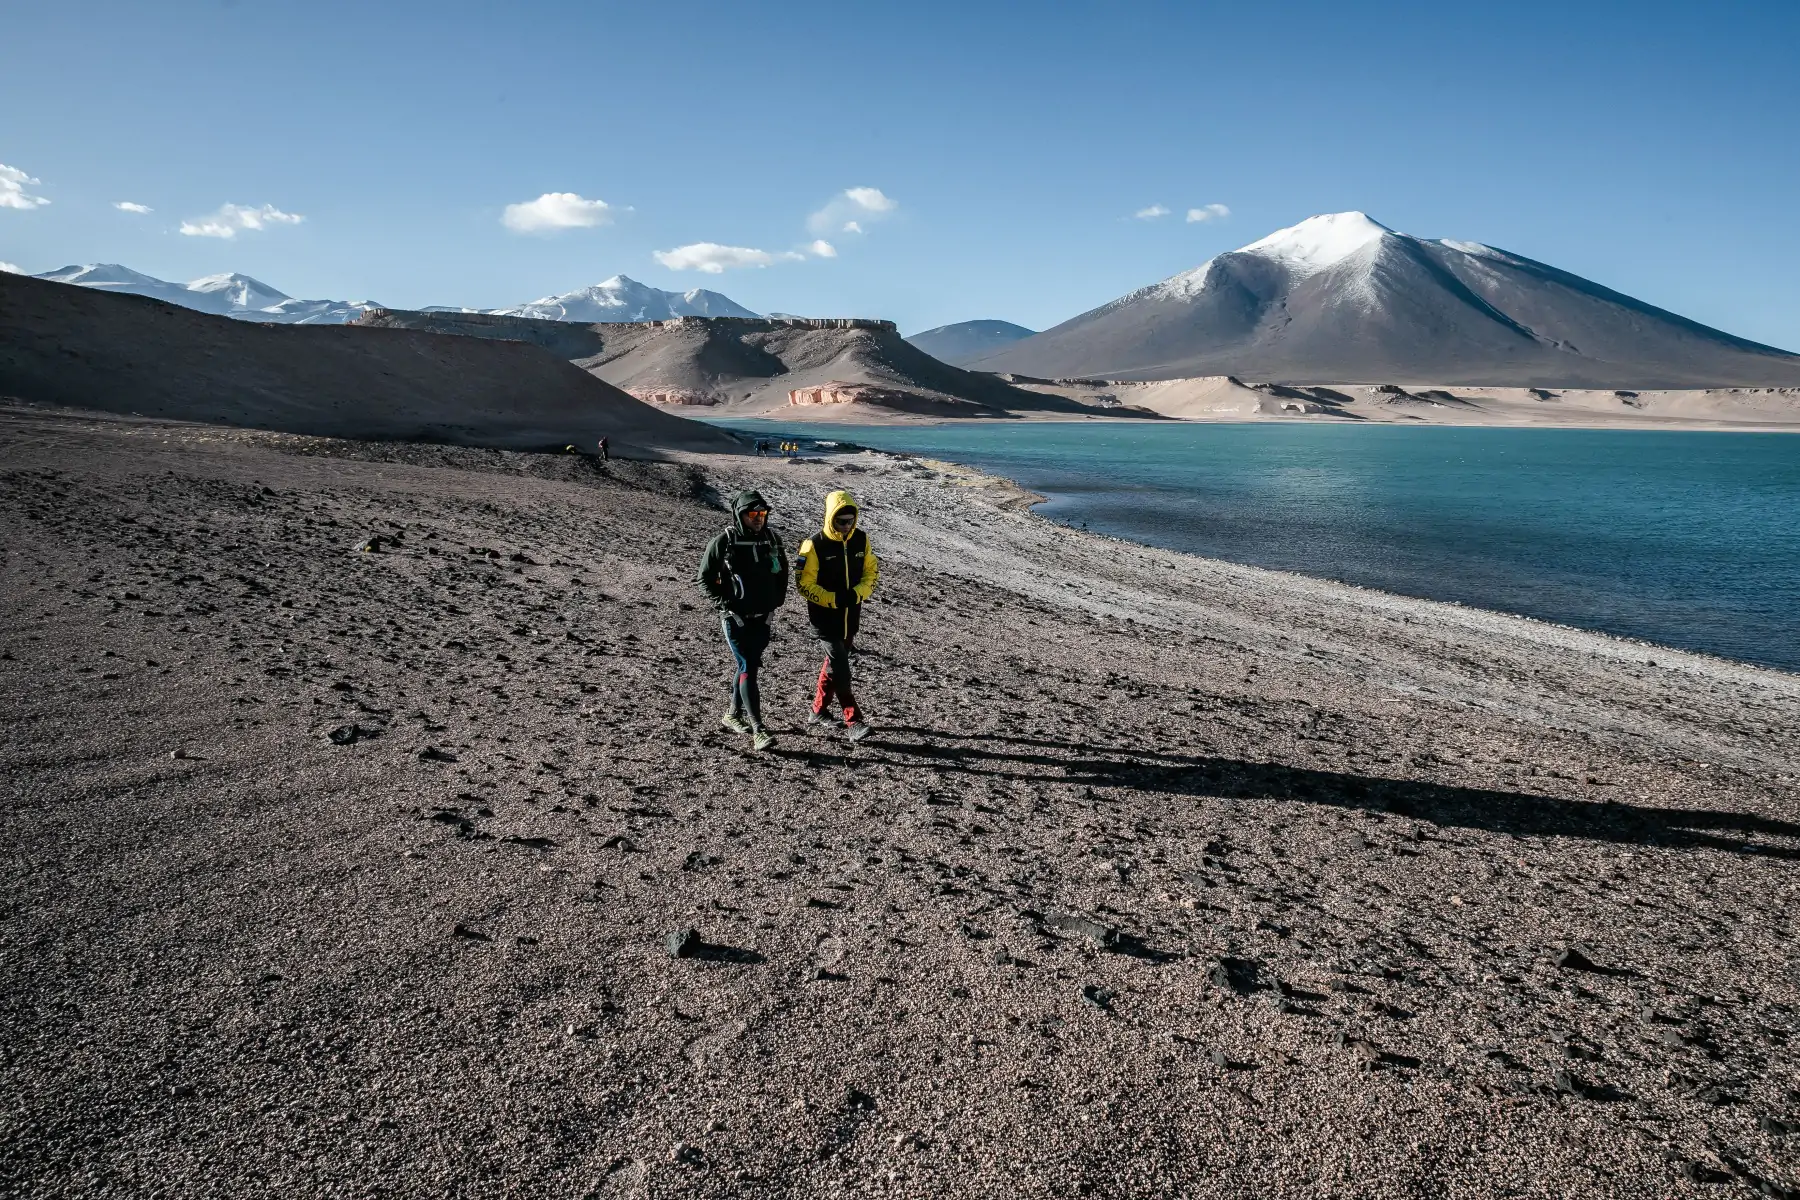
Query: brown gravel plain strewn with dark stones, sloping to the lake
[(355, 791)]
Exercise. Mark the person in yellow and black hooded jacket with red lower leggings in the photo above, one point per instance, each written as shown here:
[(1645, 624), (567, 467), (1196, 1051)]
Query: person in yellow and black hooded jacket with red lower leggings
[(838, 575)]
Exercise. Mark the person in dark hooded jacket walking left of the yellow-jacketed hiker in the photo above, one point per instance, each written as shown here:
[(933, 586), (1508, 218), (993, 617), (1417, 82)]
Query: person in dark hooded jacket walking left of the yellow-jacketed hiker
[(746, 575)]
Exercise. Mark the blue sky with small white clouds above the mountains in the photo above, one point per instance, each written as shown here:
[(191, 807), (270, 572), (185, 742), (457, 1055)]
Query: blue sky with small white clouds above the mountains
[(1650, 147)]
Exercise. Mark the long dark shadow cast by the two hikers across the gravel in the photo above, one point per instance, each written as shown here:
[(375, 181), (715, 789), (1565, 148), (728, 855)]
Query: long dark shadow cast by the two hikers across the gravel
[(1520, 814)]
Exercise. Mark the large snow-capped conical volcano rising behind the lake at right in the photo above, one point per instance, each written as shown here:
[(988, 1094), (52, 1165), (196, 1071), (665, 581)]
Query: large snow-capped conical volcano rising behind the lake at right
[(1345, 300)]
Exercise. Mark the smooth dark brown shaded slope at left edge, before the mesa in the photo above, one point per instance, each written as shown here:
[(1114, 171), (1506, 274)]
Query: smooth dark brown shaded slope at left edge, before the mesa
[(127, 354)]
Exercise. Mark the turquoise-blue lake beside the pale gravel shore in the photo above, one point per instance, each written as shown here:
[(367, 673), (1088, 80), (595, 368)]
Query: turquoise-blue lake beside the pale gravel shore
[(1684, 539)]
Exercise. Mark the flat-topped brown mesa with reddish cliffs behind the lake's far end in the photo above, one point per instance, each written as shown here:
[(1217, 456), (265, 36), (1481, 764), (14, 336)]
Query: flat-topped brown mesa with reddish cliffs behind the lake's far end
[(748, 368)]
